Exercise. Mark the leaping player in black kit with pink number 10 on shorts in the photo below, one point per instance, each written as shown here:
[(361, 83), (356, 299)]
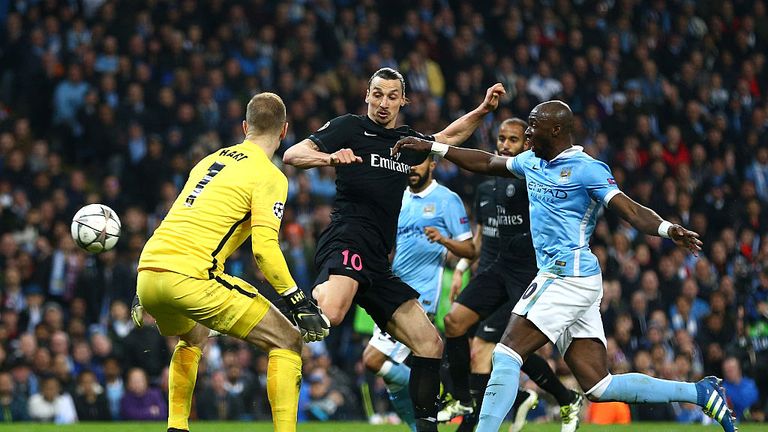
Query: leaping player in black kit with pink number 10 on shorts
[(352, 253)]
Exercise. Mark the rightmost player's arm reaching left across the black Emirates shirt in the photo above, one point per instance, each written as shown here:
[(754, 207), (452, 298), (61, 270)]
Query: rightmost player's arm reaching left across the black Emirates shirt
[(470, 159)]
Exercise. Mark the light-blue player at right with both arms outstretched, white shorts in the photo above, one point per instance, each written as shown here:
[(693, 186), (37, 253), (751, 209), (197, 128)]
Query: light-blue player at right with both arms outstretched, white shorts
[(565, 189)]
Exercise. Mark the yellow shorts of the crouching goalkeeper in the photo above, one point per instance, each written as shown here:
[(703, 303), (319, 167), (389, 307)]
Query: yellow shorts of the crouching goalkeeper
[(225, 303)]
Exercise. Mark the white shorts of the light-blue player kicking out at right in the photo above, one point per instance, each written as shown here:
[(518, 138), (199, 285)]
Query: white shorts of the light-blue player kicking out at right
[(564, 307)]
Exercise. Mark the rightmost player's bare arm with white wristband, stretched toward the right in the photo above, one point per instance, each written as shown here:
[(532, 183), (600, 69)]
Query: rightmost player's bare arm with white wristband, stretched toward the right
[(647, 221)]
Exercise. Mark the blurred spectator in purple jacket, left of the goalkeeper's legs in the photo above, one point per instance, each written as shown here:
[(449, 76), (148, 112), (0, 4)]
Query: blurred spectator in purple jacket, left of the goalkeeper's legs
[(140, 402)]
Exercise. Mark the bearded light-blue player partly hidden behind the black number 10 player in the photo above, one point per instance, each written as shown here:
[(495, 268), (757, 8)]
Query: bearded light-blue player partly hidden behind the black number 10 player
[(432, 221)]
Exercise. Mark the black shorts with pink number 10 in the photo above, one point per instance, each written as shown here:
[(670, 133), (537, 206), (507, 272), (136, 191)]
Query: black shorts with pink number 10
[(346, 251)]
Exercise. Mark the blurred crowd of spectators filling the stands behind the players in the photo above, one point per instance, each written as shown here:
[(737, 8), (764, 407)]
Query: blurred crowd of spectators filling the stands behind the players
[(113, 102)]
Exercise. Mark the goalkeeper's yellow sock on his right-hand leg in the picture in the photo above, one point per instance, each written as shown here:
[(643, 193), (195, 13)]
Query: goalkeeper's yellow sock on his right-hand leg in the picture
[(283, 381)]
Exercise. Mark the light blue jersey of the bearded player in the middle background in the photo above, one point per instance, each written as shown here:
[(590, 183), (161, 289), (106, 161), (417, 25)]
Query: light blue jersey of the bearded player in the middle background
[(418, 262)]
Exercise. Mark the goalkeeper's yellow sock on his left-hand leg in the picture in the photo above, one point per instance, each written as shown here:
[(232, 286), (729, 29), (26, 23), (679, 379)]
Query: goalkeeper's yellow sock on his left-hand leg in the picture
[(182, 376)]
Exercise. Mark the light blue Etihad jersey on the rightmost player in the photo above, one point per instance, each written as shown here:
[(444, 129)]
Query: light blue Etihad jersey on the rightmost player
[(564, 197)]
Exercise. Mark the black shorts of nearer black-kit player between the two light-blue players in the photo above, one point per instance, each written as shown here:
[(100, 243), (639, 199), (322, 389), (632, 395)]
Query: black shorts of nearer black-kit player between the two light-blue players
[(499, 285)]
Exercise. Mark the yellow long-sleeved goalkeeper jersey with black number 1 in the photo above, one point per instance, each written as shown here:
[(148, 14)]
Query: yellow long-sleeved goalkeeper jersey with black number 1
[(229, 194)]
